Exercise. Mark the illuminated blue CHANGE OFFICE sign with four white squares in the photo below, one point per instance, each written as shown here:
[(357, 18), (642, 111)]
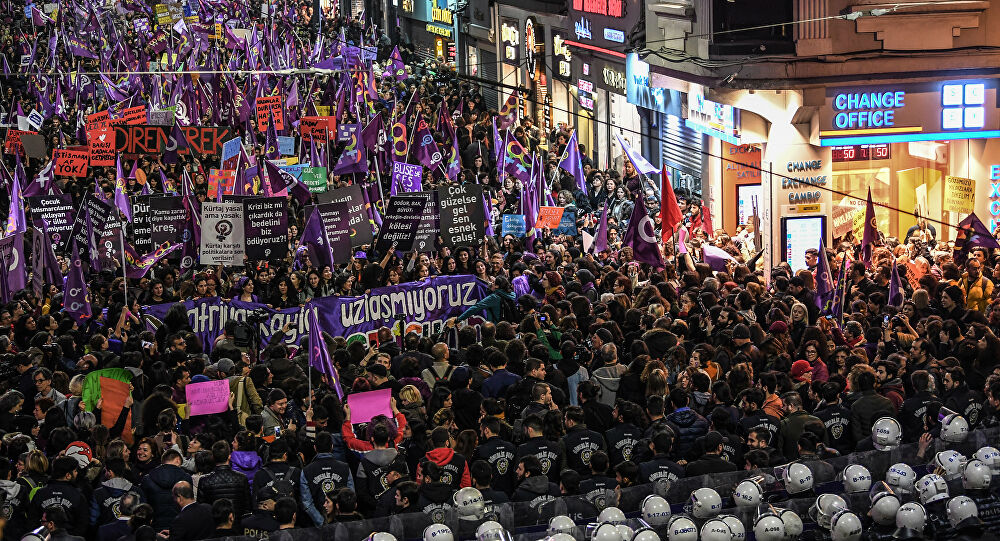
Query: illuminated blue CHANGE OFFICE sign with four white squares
[(933, 111)]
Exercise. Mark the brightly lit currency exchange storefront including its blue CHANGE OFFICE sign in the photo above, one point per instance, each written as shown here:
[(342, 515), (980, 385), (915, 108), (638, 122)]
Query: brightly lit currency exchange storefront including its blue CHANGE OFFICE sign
[(928, 148)]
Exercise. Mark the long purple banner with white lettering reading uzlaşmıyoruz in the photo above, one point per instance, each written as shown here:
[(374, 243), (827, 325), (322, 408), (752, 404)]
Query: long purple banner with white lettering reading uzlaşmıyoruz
[(426, 305)]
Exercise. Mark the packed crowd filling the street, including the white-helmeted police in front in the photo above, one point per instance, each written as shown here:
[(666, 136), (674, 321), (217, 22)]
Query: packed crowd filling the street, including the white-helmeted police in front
[(596, 388)]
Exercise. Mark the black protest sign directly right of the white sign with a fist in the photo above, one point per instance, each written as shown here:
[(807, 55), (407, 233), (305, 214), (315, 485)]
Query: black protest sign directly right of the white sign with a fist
[(265, 222)]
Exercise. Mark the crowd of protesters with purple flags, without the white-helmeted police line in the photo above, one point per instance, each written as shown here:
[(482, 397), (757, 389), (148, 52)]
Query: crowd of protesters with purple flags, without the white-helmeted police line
[(636, 333)]
